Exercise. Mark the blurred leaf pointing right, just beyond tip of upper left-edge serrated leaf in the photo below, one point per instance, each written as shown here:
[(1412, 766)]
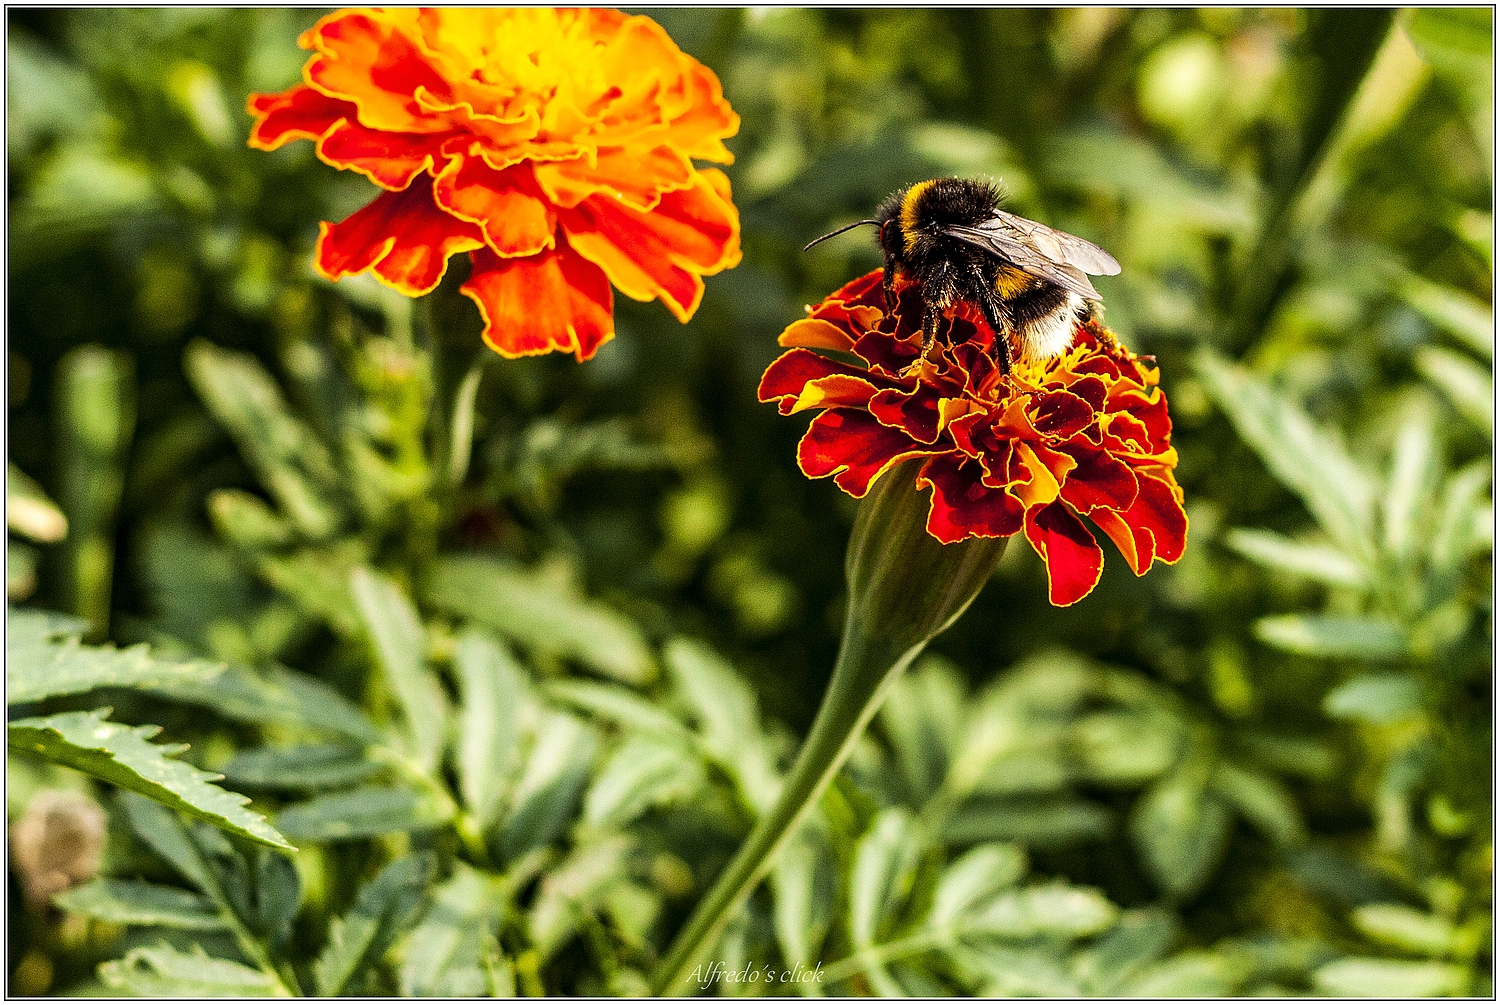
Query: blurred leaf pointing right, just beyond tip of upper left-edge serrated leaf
[(277, 695)]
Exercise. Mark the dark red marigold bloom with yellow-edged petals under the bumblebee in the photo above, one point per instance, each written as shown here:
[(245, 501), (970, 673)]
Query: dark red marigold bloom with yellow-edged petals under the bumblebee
[(1085, 434)]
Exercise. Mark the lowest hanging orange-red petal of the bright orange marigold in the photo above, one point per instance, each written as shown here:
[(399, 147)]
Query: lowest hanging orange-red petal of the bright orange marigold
[(553, 301)]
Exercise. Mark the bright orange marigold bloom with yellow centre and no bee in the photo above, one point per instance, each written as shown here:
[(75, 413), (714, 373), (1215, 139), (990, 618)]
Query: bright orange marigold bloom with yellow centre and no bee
[(553, 146)]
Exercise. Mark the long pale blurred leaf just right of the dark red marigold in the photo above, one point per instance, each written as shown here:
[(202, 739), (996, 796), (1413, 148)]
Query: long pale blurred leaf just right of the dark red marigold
[(1307, 460)]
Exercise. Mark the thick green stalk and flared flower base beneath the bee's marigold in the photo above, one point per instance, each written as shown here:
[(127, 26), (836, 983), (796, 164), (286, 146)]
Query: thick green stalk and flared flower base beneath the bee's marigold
[(905, 589)]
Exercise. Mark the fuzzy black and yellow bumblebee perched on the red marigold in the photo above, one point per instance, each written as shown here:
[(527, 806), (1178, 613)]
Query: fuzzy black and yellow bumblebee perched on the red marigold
[(1030, 281)]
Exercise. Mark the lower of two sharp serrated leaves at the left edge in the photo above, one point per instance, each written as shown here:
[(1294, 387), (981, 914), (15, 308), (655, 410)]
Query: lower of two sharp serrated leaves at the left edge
[(122, 757)]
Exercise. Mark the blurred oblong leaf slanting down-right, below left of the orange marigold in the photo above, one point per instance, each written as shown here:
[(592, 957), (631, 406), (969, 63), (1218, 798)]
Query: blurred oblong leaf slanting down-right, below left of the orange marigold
[(287, 457)]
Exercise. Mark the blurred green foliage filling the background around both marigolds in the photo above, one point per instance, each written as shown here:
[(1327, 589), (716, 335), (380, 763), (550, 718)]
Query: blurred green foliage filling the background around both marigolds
[(514, 653)]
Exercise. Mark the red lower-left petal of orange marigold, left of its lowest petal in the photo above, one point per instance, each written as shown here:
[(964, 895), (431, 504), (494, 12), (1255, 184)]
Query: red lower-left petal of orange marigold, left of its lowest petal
[(403, 236)]
